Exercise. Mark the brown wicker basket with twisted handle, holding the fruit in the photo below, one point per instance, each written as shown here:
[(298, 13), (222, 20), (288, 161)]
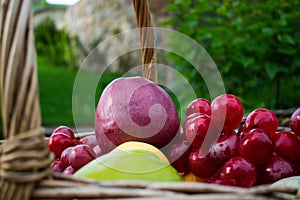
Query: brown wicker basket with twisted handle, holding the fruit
[(25, 161)]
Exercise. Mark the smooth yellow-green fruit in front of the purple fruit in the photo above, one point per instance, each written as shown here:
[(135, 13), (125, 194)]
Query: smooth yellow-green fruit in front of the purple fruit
[(129, 165)]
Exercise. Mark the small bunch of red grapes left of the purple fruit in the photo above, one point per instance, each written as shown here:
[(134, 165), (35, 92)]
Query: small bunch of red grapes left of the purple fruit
[(71, 153)]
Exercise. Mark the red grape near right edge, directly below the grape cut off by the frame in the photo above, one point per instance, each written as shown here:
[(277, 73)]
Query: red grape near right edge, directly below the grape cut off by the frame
[(287, 144)]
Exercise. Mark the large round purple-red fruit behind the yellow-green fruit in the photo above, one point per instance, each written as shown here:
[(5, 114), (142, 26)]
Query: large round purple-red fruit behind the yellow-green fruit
[(139, 105)]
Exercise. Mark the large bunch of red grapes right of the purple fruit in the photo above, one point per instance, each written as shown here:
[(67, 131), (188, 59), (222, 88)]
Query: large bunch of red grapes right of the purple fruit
[(248, 150)]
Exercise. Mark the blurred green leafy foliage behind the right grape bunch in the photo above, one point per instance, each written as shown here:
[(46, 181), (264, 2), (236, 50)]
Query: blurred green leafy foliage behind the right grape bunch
[(255, 44)]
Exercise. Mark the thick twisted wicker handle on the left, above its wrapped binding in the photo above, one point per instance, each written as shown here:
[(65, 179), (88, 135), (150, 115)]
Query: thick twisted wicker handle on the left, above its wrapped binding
[(19, 87)]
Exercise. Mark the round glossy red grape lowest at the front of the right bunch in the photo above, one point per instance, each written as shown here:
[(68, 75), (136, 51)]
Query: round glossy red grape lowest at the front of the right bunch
[(238, 172)]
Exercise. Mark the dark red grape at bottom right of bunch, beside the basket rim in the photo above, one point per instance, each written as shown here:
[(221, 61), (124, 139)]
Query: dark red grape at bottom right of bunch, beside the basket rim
[(275, 169)]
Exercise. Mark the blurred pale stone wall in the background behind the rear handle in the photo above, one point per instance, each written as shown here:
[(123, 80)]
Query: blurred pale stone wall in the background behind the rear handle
[(93, 21)]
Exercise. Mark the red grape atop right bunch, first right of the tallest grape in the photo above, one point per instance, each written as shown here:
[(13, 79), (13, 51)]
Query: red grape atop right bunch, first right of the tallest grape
[(264, 119)]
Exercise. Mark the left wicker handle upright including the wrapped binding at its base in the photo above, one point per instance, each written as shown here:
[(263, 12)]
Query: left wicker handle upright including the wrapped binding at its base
[(25, 158)]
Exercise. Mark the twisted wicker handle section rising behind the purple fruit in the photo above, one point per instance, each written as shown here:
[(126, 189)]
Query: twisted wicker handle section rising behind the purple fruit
[(143, 19)]
